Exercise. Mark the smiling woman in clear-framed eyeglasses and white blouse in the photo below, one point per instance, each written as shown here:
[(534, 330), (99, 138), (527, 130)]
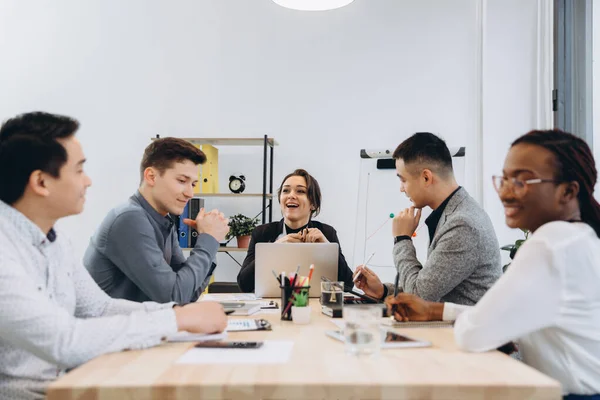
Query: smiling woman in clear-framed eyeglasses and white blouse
[(549, 299)]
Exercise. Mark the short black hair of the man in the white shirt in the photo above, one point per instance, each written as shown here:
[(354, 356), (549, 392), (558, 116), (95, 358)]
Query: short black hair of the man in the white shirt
[(28, 143)]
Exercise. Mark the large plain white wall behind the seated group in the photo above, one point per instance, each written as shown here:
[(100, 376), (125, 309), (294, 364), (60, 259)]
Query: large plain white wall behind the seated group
[(323, 84)]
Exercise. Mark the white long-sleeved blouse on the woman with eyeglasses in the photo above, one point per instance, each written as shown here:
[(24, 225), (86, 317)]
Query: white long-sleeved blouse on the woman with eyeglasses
[(549, 302)]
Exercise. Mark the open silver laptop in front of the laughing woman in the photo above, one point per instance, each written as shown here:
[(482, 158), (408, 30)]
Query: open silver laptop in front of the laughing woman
[(286, 257)]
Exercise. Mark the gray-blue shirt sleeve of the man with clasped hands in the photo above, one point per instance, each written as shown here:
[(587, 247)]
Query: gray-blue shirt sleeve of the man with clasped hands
[(133, 248)]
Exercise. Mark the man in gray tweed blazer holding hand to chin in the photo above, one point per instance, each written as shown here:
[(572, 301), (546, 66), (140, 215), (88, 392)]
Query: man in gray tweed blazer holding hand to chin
[(463, 258)]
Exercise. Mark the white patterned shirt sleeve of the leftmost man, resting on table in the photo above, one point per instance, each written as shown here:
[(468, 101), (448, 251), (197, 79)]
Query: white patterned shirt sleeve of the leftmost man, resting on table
[(31, 321)]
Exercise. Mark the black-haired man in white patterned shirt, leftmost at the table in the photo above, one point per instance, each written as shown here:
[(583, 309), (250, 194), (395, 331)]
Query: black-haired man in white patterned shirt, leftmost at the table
[(53, 316)]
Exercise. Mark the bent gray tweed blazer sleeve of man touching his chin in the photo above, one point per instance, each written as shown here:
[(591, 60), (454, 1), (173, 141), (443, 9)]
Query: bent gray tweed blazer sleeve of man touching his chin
[(452, 261)]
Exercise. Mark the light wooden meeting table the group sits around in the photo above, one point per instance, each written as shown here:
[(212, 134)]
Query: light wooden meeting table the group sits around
[(319, 369)]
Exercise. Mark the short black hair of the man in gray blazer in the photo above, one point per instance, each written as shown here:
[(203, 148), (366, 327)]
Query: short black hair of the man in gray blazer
[(428, 149)]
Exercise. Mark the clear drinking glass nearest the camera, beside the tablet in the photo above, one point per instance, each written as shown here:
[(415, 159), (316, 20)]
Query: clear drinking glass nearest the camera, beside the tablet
[(362, 334)]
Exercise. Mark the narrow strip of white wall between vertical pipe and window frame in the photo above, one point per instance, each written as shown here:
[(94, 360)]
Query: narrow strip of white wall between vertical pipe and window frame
[(509, 106)]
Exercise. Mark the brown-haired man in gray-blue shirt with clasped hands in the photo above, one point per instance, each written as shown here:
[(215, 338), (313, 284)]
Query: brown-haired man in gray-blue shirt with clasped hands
[(135, 253)]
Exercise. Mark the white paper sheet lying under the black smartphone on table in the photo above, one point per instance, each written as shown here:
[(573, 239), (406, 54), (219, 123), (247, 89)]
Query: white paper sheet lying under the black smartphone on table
[(272, 352)]
